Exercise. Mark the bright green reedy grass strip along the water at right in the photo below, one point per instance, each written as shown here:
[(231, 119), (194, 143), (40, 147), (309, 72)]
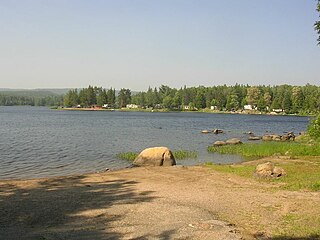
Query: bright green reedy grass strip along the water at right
[(265, 149)]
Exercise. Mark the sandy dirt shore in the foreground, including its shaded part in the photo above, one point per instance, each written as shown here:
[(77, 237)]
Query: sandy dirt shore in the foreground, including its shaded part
[(148, 203)]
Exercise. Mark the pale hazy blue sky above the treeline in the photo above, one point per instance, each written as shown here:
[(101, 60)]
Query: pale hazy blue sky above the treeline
[(140, 43)]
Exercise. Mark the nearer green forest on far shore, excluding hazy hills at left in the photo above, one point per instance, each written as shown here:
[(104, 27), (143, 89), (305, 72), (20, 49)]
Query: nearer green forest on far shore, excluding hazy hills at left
[(290, 99)]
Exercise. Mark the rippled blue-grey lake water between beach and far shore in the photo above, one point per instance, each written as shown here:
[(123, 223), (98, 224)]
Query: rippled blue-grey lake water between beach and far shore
[(39, 142)]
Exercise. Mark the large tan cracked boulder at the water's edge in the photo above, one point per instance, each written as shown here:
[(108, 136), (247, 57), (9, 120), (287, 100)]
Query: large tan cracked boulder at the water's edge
[(156, 156)]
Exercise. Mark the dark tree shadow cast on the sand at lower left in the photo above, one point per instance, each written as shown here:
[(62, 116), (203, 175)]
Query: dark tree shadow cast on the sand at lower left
[(66, 208)]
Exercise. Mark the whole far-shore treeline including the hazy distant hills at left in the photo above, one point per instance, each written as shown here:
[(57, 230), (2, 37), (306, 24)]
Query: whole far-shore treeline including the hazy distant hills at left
[(303, 100)]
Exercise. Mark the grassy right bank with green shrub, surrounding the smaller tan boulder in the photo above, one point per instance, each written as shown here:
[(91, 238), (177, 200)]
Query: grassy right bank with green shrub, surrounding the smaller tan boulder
[(302, 163)]
